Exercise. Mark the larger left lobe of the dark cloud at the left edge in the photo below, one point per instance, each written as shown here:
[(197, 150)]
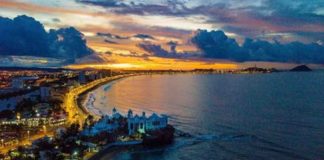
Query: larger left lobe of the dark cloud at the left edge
[(22, 36)]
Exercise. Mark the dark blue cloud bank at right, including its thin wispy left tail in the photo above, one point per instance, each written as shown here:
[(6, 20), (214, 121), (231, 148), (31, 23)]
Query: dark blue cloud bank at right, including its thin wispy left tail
[(217, 45)]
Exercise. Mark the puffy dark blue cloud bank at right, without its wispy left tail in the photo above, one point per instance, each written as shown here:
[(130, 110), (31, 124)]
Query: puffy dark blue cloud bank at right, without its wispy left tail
[(215, 44)]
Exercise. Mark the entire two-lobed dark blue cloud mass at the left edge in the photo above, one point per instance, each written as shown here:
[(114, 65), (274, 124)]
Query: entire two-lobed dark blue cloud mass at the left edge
[(24, 36)]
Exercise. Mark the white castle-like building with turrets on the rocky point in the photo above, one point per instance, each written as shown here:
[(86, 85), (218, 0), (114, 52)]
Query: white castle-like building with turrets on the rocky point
[(142, 124)]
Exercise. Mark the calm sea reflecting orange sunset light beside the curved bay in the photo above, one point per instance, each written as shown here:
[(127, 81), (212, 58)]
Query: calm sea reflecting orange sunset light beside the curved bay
[(261, 116)]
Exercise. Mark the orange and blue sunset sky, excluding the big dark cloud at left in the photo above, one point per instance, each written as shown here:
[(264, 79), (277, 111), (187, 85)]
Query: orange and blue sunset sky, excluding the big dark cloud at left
[(183, 34)]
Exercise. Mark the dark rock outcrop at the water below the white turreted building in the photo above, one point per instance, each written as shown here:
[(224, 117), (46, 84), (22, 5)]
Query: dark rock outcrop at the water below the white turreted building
[(159, 137)]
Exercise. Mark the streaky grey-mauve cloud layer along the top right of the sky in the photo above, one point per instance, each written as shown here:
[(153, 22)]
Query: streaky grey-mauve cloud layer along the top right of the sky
[(252, 17)]
